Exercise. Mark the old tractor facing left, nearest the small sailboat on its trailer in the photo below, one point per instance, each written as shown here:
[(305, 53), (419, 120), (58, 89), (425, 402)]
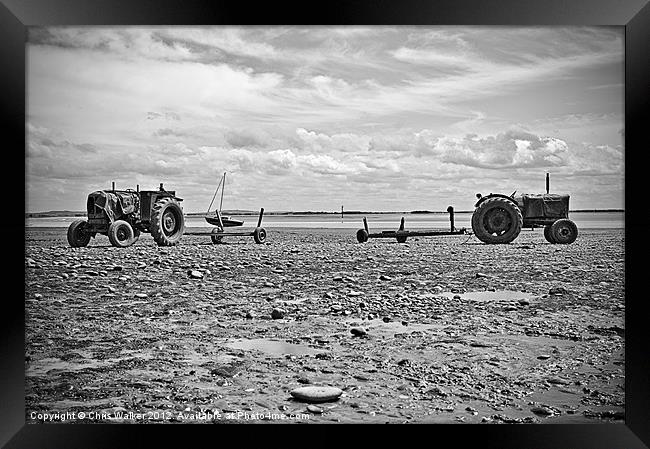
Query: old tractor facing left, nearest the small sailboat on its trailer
[(123, 214)]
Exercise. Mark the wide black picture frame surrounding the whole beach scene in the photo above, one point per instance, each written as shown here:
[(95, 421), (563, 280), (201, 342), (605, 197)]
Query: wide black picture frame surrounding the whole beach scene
[(634, 15)]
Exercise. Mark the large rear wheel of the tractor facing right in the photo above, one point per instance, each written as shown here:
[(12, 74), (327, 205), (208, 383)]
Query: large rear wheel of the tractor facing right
[(497, 220)]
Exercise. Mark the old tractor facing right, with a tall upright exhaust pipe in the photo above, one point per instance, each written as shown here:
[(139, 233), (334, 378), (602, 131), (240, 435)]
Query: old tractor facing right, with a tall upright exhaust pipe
[(499, 218)]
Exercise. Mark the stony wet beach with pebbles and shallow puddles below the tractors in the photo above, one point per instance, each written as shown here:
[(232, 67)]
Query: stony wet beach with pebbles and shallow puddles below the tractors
[(435, 330)]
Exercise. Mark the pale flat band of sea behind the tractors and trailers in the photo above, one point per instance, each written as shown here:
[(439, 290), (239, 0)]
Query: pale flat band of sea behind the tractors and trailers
[(383, 221)]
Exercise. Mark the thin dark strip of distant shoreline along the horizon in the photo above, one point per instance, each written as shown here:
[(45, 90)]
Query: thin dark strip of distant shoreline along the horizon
[(54, 214)]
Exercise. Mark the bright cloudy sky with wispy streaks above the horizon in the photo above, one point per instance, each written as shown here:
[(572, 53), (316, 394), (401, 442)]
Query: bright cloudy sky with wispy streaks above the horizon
[(312, 118)]
